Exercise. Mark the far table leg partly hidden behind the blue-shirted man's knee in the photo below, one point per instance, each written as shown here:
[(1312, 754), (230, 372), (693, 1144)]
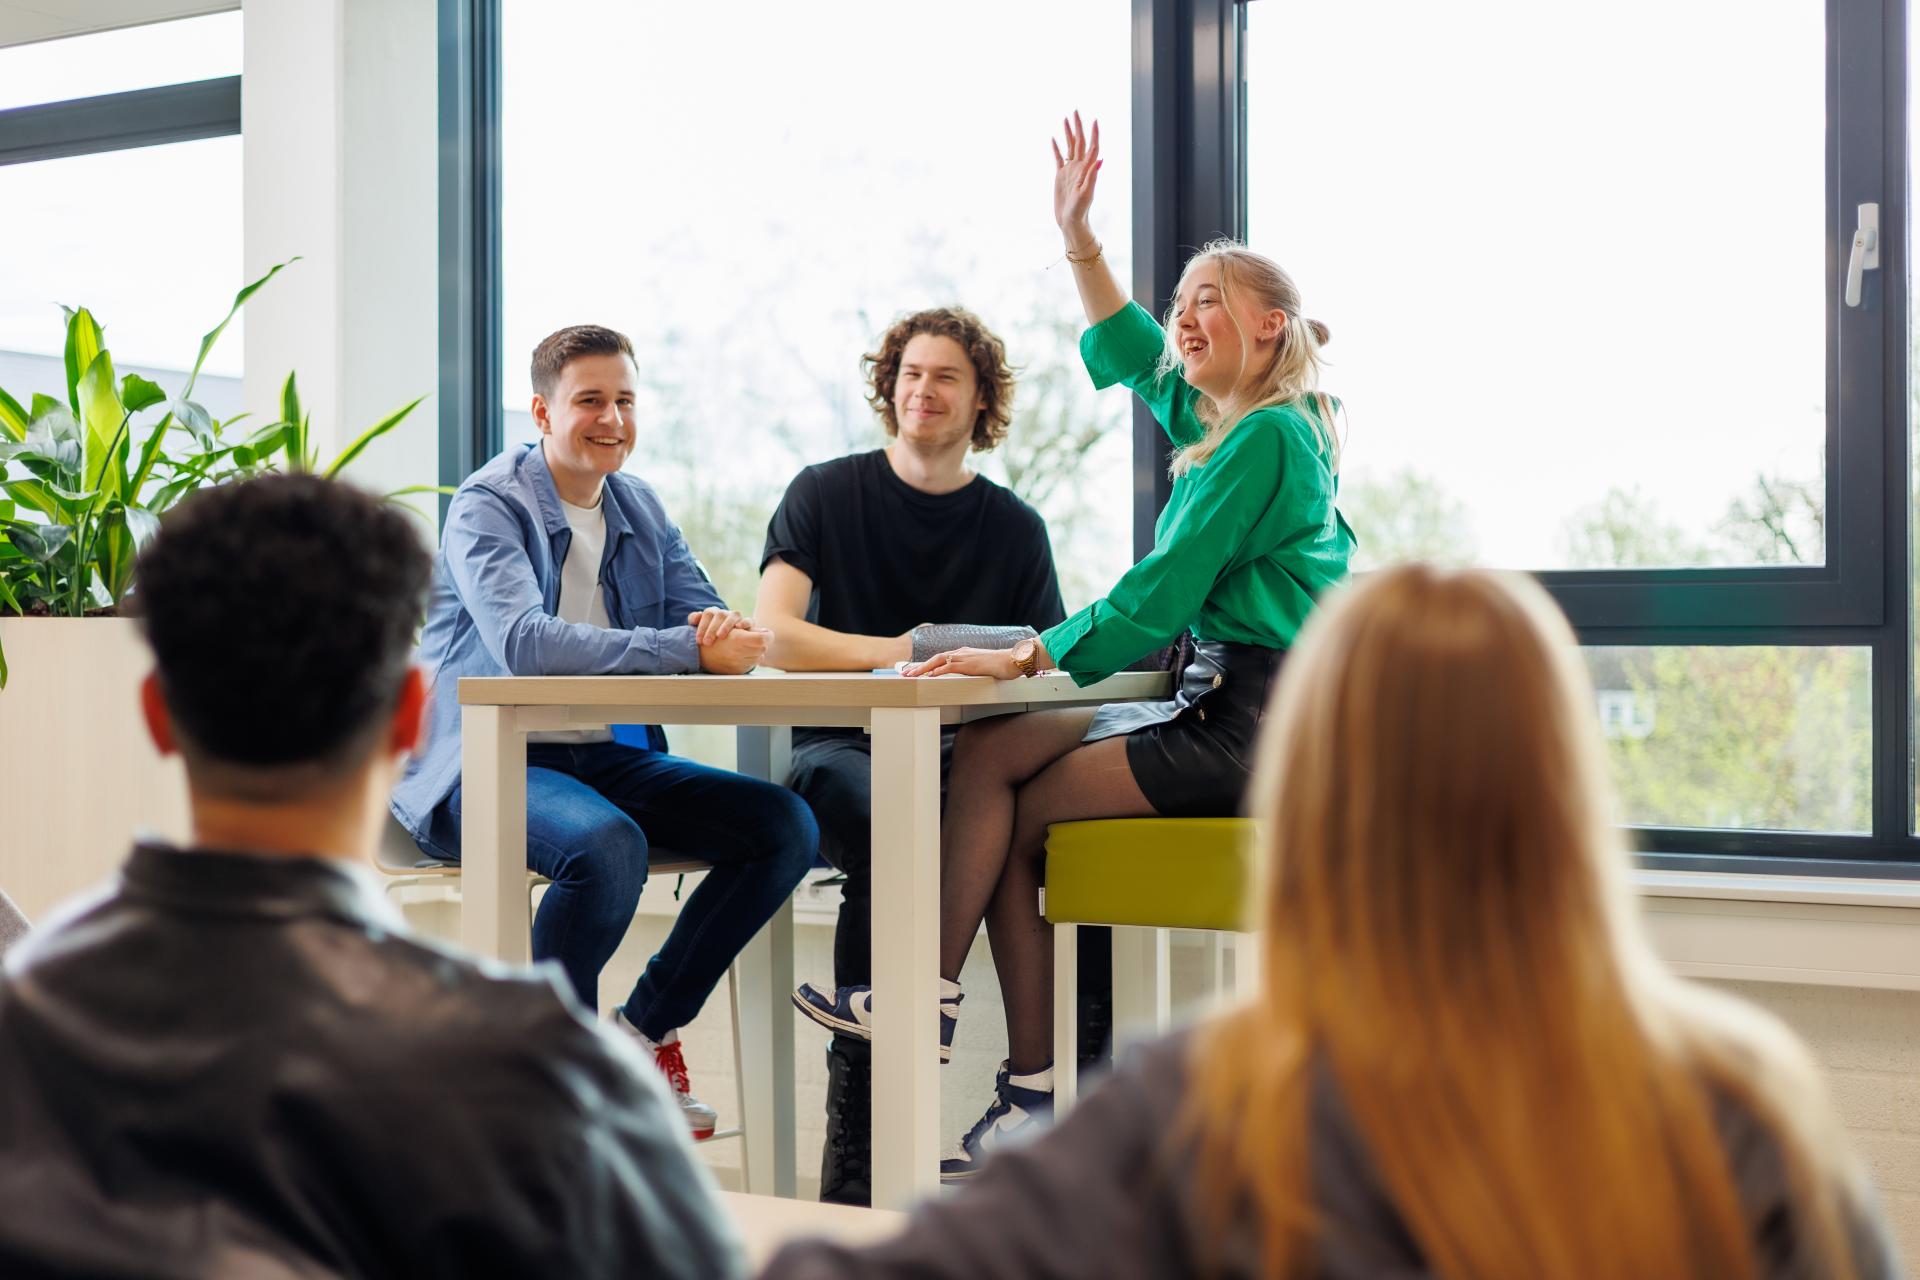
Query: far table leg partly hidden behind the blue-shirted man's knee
[(767, 1016)]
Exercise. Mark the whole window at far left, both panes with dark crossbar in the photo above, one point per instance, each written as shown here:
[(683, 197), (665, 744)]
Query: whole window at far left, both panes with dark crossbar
[(116, 214)]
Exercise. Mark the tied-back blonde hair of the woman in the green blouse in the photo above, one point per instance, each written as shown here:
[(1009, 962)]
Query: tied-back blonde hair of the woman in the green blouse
[(1291, 373)]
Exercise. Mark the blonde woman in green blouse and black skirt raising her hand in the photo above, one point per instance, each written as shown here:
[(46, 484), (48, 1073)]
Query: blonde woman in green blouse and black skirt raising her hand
[(1249, 540)]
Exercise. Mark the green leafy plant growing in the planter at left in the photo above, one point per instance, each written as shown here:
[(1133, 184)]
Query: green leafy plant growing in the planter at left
[(78, 500)]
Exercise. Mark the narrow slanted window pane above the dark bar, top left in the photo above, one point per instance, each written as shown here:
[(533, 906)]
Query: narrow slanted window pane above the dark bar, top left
[(110, 62)]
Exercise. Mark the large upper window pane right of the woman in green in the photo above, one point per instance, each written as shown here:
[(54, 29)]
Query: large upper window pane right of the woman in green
[(1573, 260)]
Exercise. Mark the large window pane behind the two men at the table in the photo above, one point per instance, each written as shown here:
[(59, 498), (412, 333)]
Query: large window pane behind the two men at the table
[(757, 220)]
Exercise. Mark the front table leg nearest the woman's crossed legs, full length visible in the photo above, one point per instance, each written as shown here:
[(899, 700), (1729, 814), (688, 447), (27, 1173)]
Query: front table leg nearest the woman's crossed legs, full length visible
[(907, 897)]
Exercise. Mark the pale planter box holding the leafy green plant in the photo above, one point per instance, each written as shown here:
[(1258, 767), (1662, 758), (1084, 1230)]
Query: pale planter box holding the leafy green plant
[(78, 772)]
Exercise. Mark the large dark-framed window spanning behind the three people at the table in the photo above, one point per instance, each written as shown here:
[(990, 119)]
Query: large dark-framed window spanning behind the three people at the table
[(1585, 272)]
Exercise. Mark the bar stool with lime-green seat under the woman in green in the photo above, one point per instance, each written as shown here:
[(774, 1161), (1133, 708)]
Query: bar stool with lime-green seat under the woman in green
[(1143, 876)]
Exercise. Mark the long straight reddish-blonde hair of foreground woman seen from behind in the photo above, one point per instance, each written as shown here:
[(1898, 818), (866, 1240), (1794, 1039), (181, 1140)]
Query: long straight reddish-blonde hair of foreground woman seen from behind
[(1452, 943)]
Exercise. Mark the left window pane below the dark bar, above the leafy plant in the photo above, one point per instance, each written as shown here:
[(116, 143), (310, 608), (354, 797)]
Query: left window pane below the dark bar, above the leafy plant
[(149, 241)]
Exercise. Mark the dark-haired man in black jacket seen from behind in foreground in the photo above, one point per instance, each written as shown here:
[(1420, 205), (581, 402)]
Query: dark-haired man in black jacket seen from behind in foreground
[(235, 1060)]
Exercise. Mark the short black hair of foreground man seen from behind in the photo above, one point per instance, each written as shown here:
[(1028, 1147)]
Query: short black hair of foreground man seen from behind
[(281, 613)]
